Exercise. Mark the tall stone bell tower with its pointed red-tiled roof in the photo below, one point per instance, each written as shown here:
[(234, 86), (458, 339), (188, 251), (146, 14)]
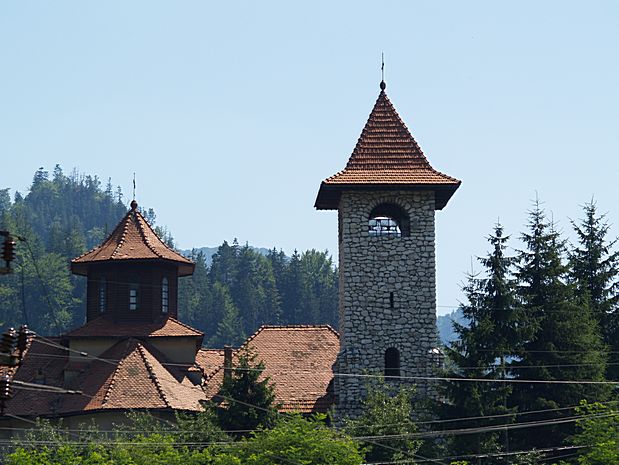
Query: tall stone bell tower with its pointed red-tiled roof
[(385, 198)]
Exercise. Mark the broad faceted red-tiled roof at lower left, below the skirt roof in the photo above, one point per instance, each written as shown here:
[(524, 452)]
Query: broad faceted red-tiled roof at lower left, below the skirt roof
[(129, 375)]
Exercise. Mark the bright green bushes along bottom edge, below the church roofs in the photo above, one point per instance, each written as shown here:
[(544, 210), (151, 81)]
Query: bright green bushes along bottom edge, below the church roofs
[(193, 440)]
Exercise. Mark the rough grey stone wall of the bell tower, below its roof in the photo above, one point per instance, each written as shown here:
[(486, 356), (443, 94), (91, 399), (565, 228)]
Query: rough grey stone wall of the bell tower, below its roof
[(371, 267)]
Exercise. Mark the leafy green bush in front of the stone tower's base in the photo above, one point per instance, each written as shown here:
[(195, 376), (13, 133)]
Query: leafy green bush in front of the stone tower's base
[(387, 411)]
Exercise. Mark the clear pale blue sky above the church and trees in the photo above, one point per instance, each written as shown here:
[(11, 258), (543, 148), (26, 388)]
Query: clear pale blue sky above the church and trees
[(231, 113)]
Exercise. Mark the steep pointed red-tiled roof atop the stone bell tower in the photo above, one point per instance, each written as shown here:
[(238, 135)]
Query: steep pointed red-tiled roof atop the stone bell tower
[(386, 157)]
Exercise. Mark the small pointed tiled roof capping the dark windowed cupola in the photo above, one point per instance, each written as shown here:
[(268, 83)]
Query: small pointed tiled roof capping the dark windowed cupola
[(133, 239)]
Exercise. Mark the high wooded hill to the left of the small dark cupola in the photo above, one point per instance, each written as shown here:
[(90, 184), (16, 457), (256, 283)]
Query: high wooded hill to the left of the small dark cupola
[(59, 219)]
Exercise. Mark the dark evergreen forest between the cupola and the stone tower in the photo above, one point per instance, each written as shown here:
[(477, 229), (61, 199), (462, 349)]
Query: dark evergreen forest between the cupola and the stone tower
[(244, 289)]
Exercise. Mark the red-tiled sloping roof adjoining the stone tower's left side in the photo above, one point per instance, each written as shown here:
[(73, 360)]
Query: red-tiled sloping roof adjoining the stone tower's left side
[(298, 360)]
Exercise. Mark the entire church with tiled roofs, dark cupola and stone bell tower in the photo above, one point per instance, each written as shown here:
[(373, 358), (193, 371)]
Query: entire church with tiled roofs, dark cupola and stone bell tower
[(133, 352)]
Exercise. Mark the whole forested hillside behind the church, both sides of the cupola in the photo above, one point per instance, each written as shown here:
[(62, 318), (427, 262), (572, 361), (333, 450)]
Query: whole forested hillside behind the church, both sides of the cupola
[(230, 295)]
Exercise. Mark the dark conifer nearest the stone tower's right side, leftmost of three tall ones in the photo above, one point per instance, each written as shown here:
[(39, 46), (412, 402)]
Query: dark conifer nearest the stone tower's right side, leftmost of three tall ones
[(483, 350)]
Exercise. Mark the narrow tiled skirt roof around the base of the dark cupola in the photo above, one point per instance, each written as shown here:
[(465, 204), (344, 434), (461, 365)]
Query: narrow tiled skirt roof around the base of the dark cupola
[(105, 327)]
